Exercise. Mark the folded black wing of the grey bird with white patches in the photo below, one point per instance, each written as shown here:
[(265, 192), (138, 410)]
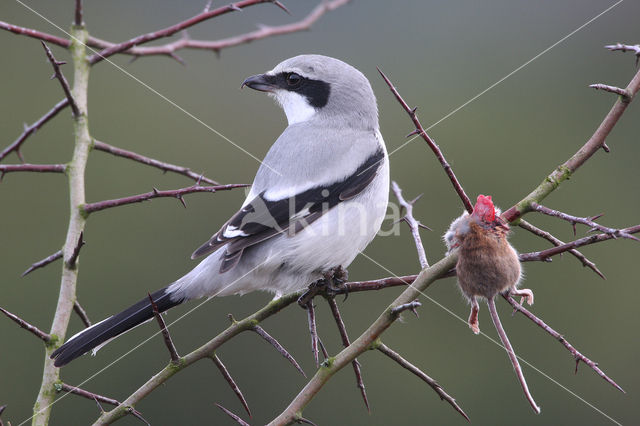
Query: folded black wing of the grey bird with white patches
[(262, 219)]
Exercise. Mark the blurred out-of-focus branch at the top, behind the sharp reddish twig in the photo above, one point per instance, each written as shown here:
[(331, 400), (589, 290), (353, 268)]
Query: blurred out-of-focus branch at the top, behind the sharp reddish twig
[(185, 42)]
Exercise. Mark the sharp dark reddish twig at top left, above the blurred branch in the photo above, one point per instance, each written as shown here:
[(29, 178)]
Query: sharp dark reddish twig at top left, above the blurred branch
[(169, 31)]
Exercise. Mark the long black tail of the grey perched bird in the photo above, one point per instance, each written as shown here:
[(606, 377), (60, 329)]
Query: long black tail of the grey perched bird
[(112, 327)]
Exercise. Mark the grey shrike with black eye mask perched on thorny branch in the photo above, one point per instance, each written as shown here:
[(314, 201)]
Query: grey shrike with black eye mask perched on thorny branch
[(317, 200)]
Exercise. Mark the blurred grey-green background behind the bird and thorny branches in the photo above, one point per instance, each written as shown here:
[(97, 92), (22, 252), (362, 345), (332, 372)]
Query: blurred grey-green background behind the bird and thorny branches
[(440, 55)]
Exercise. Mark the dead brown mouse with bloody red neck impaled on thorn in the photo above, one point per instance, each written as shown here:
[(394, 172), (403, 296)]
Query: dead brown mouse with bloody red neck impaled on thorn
[(487, 266)]
